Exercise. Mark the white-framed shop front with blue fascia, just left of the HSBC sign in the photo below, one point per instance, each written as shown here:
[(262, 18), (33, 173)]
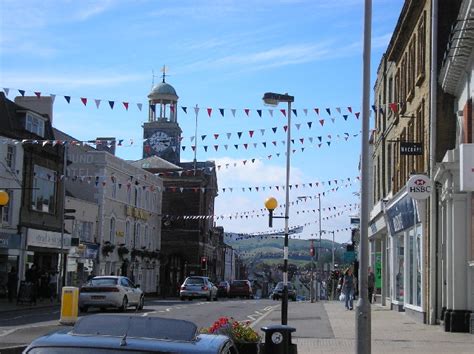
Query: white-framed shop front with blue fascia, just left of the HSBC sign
[(405, 254)]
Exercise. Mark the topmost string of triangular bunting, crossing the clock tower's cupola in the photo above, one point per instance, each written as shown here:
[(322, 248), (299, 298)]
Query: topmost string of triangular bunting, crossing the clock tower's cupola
[(98, 102)]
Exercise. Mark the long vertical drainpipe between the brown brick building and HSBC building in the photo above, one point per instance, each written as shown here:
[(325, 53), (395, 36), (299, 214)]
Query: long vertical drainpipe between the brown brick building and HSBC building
[(433, 115)]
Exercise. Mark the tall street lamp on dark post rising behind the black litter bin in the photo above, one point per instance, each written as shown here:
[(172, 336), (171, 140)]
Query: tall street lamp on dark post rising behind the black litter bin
[(273, 99)]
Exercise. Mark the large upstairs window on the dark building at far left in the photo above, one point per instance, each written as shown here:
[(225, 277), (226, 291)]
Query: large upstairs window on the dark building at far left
[(44, 189)]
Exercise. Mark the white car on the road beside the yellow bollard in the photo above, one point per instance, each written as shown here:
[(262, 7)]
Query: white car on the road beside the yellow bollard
[(110, 291)]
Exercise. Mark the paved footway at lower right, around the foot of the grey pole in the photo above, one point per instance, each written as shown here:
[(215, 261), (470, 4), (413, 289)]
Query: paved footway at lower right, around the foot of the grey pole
[(327, 327)]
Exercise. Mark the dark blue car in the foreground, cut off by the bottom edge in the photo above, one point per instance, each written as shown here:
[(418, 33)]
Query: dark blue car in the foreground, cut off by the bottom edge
[(105, 334)]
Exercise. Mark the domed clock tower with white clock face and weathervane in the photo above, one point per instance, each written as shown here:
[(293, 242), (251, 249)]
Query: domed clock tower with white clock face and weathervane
[(162, 134)]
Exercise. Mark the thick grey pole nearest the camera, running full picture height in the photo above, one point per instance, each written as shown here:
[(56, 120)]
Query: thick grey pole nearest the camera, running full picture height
[(362, 313)]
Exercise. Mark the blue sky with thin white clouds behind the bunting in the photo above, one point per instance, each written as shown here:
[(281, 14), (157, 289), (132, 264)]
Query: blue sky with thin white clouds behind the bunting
[(219, 54)]
